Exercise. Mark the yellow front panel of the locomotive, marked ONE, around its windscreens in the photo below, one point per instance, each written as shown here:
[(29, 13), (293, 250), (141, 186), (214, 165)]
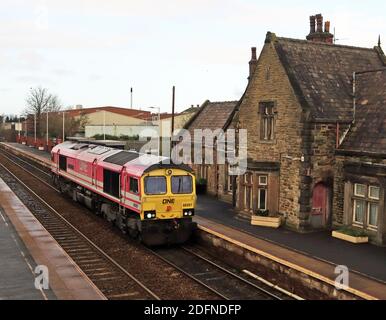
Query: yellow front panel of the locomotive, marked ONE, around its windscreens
[(167, 205)]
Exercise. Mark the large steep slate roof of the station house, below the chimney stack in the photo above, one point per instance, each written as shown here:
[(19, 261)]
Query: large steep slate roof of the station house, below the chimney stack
[(321, 74)]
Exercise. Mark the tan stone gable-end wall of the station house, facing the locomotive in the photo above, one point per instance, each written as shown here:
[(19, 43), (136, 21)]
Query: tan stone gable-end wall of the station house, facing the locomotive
[(270, 83)]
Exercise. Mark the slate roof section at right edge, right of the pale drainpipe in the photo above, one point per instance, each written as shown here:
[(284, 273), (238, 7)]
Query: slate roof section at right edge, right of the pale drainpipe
[(368, 133)]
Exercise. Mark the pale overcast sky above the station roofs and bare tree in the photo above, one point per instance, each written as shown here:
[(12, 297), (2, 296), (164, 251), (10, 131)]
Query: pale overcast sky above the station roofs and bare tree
[(91, 52)]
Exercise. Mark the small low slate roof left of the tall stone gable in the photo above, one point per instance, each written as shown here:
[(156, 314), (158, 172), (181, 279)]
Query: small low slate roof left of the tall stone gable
[(211, 115)]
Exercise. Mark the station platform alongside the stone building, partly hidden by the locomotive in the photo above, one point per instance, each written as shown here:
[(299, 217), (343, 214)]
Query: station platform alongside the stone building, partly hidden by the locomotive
[(314, 254)]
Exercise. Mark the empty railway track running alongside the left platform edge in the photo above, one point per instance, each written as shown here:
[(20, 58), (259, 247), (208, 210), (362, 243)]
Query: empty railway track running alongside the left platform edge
[(109, 276)]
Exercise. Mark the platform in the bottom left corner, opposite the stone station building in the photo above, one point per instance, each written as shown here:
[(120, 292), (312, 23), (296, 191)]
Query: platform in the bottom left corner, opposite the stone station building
[(26, 245)]
